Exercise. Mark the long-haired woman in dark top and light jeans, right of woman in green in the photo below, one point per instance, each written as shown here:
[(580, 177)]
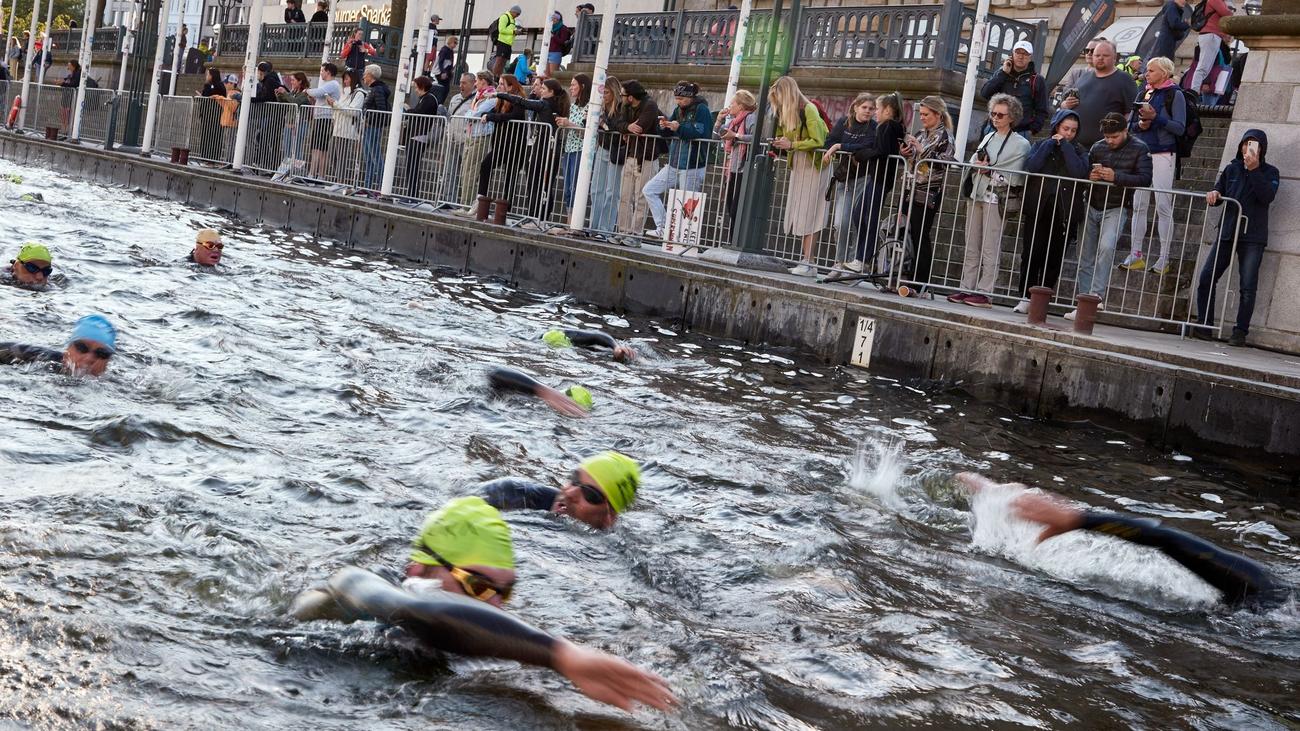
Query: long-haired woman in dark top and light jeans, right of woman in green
[(852, 133)]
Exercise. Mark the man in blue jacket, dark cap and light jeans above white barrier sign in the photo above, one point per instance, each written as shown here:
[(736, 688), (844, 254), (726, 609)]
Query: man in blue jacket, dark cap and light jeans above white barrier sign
[(691, 122)]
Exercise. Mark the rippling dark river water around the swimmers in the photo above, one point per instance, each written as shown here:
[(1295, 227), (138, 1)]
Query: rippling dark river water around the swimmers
[(798, 557)]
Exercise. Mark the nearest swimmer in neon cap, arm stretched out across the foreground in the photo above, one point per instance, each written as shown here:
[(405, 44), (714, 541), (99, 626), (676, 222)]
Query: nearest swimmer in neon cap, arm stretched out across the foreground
[(460, 576)]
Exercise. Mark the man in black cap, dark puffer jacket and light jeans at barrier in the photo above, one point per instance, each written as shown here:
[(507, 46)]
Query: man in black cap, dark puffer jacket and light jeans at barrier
[(1125, 162)]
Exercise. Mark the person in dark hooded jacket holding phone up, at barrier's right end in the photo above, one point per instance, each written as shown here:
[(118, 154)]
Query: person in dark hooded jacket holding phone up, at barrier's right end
[(1254, 184)]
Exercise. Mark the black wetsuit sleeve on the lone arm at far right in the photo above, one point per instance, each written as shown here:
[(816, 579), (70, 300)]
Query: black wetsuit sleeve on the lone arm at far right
[(1240, 578)]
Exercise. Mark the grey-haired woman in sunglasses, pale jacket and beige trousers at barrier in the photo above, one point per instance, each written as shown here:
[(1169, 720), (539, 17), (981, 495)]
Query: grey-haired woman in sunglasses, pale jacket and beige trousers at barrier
[(995, 189)]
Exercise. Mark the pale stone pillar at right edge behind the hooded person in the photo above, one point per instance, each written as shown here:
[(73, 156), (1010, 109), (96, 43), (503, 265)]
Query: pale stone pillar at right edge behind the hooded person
[(1269, 100)]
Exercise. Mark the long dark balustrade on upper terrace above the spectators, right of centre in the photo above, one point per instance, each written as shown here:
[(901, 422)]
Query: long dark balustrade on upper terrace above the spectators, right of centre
[(877, 36)]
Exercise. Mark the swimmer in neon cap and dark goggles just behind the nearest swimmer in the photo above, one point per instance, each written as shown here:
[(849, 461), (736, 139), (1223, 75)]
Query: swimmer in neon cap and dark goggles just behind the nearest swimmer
[(600, 490)]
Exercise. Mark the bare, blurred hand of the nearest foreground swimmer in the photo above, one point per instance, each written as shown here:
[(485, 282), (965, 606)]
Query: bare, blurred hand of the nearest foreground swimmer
[(610, 680)]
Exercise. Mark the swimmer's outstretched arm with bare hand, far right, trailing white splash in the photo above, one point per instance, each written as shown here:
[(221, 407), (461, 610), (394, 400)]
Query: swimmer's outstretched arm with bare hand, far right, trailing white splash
[(1243, 582)]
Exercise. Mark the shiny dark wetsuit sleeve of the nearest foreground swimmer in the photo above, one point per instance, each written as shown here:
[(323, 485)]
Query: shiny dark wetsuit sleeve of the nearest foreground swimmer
[(444, 621)]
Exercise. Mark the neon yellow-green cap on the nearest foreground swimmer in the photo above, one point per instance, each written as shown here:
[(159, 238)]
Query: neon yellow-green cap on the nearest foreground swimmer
[(466, 533)]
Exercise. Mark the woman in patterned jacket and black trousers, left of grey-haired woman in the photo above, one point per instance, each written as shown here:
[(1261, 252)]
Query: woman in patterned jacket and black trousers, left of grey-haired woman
[(934, 145)]
